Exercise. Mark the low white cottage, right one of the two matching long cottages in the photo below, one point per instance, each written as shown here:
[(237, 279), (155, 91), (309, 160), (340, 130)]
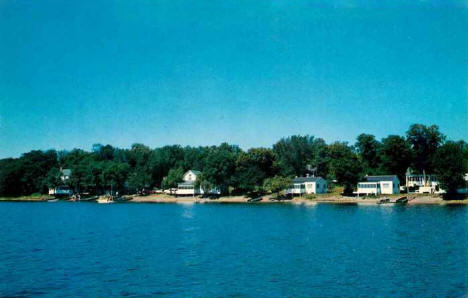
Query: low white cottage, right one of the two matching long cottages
[(376, 185)]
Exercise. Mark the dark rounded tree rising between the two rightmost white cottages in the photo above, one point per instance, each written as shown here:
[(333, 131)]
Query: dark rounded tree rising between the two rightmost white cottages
[(395, 156)]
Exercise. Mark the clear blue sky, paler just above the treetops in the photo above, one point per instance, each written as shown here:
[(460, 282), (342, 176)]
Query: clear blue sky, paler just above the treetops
[(74, 73)]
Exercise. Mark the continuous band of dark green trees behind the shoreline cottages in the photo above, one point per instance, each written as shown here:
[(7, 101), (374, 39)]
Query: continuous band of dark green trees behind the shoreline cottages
[(423, 148)]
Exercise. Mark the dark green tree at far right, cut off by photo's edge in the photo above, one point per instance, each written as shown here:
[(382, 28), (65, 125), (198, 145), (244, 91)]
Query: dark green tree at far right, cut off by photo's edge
[(449, 166)]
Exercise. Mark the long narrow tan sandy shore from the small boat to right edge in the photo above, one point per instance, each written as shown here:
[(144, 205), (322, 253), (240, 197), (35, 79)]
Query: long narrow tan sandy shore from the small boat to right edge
[(333, 199)]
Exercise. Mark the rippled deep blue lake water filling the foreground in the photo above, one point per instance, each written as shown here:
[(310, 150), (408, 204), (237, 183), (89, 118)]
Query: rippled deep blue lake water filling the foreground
[(87, 249)]
